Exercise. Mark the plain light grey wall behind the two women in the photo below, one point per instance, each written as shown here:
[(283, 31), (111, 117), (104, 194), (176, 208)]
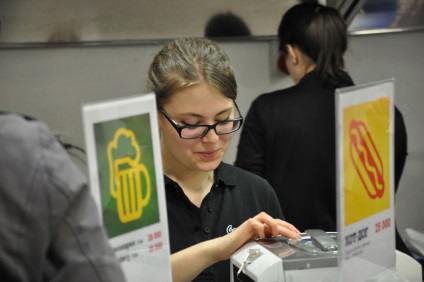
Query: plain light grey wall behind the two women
[(52, 83)]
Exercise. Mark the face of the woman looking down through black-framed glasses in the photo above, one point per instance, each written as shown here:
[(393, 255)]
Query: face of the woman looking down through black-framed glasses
[(200, 104)]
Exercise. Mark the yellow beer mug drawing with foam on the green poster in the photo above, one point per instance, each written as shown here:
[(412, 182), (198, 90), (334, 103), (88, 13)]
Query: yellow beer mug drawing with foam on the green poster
[(127, 176)]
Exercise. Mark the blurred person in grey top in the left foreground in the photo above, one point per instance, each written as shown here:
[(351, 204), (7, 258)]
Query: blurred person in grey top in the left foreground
[(50, 228)]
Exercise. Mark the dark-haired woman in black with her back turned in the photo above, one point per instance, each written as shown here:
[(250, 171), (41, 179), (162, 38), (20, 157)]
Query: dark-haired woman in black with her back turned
[(288, 136)]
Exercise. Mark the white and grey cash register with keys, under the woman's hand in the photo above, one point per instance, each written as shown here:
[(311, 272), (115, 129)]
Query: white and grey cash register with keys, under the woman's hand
[(311, 258)]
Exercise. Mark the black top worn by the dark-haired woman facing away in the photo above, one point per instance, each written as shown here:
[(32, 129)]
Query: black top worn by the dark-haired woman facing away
[(289, 139)]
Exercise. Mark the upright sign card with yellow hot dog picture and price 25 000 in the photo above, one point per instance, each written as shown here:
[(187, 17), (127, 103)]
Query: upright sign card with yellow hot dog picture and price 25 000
[(365, 184)]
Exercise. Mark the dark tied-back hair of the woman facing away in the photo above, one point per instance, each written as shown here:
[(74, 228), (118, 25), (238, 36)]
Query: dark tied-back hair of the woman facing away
[(321, 34)]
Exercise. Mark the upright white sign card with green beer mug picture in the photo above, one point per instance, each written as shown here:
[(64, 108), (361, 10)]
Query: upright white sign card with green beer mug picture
[(126, 178)]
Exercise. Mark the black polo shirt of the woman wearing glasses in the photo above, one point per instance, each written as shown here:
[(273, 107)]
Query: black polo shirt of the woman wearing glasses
[(235, 196)]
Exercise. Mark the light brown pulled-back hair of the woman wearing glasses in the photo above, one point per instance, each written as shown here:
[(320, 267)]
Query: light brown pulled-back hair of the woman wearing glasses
[(185, 62)]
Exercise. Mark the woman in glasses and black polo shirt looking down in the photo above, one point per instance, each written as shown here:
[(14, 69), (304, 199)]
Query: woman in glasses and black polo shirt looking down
[(213, 207)]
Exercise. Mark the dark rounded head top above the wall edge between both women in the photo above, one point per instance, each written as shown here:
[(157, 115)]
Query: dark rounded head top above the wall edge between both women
[(226, 25)]
